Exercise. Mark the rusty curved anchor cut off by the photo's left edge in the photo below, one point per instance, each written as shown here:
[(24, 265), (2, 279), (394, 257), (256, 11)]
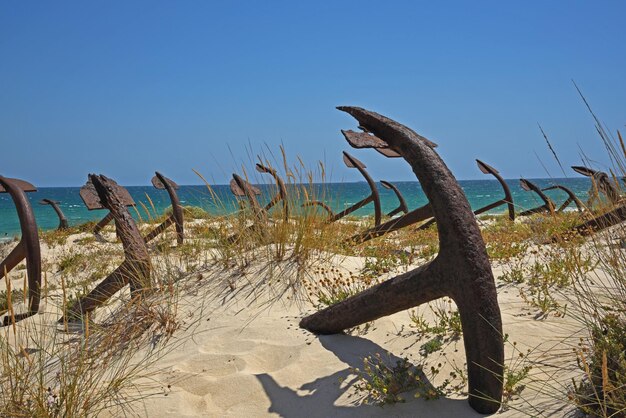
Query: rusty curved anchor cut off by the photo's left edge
[(28, 247)]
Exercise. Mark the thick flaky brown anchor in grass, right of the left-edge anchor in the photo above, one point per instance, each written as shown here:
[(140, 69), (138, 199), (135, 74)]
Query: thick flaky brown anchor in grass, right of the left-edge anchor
[(136, 267)]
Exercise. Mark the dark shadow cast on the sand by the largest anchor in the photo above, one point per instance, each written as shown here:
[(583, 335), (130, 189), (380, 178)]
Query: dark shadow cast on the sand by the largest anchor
[(325, 391)]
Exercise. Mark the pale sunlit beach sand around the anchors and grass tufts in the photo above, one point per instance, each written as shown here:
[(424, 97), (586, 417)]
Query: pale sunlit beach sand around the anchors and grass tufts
[(238, 350)]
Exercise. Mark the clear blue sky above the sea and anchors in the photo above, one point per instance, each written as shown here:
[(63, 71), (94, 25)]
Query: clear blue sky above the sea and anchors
[(106, 86)]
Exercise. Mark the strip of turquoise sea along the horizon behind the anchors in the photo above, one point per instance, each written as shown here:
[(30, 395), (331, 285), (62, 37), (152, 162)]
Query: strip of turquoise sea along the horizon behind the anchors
[(337, 195)]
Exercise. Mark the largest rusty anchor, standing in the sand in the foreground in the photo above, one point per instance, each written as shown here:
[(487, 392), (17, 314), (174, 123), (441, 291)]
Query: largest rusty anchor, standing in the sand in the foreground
[(460, 271)]
